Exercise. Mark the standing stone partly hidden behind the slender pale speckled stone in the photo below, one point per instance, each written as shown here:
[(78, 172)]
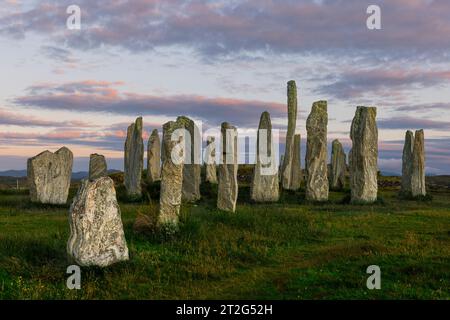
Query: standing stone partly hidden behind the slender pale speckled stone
[(192, 165)]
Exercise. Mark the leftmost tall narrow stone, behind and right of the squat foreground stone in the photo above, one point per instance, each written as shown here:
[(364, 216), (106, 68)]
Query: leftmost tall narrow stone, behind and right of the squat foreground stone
[(134, 159)]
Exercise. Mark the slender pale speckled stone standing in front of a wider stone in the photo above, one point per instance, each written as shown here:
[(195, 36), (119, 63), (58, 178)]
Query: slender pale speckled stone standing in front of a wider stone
[(171, 173)]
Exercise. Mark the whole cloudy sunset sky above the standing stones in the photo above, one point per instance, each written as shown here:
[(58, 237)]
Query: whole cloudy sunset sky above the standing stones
[(218, 61)]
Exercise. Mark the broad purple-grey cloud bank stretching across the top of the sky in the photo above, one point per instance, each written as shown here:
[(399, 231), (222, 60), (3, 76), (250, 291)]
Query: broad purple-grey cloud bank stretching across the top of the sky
[(237, 27)]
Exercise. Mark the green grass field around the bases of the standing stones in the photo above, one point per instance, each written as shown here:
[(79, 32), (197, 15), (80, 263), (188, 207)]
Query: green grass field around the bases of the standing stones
[(287, 250)]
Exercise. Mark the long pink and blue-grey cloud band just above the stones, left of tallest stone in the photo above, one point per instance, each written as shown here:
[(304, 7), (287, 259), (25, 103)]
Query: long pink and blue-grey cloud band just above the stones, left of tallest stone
[(100, 96)]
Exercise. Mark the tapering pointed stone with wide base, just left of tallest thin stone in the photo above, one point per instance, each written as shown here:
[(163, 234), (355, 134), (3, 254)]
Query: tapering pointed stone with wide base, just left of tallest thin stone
[(264, 187)]
